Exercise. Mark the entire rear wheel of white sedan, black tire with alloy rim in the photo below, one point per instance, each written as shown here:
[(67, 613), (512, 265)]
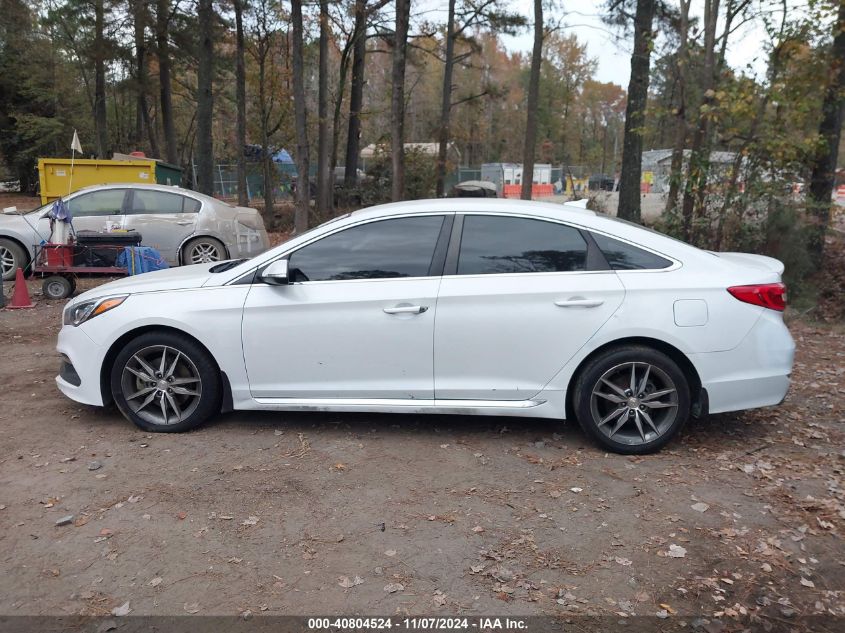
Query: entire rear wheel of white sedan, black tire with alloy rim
[(649, 418)]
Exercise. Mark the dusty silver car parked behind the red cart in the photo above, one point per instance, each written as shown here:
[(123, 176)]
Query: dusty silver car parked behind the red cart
[(186, 227)]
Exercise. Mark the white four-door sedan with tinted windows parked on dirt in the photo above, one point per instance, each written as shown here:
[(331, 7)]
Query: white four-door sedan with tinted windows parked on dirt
[(466, 306)]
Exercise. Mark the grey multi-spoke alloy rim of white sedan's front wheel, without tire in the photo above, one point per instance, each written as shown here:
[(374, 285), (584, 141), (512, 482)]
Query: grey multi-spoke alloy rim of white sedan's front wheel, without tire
[(161, 385)]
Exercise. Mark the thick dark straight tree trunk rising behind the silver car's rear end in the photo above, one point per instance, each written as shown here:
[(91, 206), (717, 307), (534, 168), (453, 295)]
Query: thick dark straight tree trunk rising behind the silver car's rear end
[(205, 99)]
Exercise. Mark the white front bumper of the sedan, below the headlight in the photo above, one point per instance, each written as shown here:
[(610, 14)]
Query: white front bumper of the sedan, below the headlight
[(86, 358)]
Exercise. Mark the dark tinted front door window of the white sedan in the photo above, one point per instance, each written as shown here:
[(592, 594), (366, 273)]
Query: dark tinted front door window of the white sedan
[(403, 247)]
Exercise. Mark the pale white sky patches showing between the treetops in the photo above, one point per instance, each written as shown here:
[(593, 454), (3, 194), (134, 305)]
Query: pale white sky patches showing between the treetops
[(613, 54)]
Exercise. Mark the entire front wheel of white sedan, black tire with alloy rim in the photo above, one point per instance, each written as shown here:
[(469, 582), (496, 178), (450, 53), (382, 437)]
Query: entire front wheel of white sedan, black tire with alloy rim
[(192, 359)]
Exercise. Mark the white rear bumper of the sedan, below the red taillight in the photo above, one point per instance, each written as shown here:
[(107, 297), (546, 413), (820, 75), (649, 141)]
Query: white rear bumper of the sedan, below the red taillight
[(753, 374)]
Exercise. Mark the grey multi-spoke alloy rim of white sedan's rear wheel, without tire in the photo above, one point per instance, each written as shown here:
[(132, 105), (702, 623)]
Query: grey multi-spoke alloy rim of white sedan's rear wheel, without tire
[(634, 403)]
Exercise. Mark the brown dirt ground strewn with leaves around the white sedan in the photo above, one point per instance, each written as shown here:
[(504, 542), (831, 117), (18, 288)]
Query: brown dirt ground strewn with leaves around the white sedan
[(389, 514)]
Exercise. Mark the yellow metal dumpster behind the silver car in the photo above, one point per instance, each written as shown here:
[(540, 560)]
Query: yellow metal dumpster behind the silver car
[(55, 174)]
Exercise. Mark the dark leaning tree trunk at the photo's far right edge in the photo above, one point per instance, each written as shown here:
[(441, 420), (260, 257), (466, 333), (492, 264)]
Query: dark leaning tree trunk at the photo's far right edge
[(830, 130)]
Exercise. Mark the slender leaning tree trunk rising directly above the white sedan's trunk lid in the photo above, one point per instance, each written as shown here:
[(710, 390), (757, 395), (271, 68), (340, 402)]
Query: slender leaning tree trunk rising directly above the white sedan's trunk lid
[(696, 180)]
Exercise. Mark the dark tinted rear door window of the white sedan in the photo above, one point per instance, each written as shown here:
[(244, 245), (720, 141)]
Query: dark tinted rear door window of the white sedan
[(491, 244)]
